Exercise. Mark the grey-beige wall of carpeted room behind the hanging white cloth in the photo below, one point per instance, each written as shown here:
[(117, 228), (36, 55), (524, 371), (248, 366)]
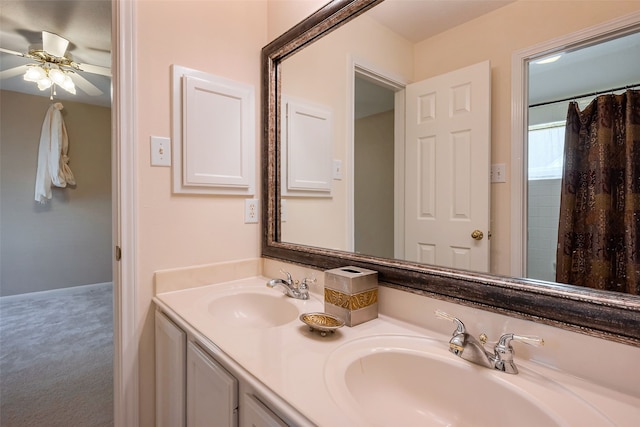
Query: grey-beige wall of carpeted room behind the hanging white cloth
[(66, 242)]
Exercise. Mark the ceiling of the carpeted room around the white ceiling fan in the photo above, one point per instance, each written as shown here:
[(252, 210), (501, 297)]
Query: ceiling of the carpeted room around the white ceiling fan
[(85, 23)]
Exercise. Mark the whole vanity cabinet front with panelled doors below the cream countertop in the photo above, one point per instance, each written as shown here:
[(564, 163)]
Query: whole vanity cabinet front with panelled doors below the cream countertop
[(194, 389)]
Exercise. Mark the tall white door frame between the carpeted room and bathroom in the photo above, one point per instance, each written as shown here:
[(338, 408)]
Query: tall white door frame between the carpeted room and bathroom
[(124, 169)]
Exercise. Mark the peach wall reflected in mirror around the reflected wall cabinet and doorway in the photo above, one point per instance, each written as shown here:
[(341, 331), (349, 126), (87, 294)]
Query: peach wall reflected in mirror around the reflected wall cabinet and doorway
[(320, 74)]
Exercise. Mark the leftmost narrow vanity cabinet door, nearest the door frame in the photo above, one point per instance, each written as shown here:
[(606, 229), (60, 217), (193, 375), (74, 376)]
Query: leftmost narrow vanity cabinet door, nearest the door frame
[(170, 373)]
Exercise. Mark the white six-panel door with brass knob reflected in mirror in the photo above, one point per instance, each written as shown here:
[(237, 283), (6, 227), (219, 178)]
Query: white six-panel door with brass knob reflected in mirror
[(447, 156)]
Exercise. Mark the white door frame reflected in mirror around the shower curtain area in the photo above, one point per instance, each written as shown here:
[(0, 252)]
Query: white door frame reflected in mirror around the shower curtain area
[(519, 119)]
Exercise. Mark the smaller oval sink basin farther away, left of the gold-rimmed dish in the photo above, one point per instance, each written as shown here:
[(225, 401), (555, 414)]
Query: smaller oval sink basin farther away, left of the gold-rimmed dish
[(253, 310)]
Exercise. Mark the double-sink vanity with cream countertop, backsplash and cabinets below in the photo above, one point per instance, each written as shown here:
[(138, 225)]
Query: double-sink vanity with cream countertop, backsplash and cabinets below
[(234, 352)]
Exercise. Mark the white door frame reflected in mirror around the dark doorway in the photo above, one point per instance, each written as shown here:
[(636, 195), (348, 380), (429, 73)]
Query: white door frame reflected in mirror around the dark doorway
[(364, 68)]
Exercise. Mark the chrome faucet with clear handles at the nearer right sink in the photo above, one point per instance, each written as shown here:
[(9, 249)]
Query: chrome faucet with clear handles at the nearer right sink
[(469, 348)]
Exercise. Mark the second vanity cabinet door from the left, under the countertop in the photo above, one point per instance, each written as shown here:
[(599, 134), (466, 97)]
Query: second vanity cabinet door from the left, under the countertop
[(212, 392)]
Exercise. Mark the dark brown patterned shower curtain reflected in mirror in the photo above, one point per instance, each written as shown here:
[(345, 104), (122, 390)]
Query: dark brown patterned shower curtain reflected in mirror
[(598, 233)]
